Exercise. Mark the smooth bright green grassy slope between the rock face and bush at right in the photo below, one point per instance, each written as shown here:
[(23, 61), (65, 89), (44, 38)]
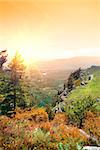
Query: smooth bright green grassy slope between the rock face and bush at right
[(91, 89)]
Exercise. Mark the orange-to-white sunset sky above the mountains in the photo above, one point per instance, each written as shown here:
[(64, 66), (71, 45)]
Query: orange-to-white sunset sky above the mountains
[(49, 29)]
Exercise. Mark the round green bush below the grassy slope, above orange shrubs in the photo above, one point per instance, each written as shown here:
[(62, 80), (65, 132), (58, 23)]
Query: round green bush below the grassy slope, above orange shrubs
[(76, 110)]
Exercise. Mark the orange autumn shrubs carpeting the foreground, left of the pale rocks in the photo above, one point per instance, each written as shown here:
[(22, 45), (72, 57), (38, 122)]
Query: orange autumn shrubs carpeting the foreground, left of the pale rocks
[(32, 129)]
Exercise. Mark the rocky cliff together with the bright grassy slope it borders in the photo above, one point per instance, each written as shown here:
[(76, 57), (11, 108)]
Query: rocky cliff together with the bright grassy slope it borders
[(80, 84)]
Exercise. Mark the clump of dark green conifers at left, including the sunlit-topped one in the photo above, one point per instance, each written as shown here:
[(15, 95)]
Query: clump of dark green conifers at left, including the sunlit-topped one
[(13, 86)]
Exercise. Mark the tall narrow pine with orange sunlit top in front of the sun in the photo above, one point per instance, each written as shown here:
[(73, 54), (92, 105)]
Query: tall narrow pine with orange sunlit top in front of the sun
[(16, 78)]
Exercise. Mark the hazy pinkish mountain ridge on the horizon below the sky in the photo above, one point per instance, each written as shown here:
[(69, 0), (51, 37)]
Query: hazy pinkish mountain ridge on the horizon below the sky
[(69, 63)]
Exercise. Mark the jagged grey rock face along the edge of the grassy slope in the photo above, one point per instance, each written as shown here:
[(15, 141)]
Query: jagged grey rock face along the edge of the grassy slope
[(77, 78)]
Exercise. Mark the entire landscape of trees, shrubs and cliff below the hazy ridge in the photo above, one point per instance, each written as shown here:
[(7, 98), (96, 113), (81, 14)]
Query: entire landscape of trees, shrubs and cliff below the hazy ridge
[(57, 111)]
